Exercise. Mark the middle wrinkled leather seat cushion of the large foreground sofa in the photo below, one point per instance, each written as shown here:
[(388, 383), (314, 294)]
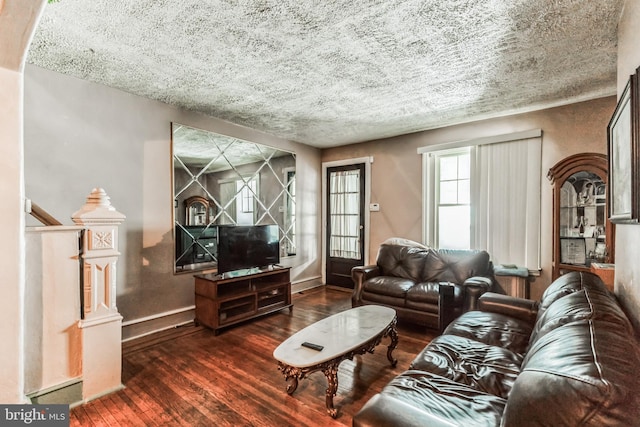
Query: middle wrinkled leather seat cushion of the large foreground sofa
[(486, 368)]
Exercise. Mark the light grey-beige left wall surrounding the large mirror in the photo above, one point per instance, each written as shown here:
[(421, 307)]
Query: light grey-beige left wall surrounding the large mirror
[(80, 135)]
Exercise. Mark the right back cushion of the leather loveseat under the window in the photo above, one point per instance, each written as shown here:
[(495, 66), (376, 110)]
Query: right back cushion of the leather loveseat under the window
[(456, 266)]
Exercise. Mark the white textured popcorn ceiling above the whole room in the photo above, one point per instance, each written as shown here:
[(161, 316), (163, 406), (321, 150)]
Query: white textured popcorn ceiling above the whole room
[(333, 72)]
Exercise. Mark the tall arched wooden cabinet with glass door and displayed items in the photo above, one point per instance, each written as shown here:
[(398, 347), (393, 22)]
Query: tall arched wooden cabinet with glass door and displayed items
[(582, 232)]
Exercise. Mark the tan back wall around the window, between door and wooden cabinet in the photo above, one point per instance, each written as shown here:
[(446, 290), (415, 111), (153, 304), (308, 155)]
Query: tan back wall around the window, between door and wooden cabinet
[(396, 181)]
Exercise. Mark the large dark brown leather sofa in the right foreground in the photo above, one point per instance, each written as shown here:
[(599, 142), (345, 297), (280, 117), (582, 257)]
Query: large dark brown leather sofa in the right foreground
[(571, 360)]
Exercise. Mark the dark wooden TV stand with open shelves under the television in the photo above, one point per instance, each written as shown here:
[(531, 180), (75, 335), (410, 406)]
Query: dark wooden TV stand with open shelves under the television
[(226, 299)]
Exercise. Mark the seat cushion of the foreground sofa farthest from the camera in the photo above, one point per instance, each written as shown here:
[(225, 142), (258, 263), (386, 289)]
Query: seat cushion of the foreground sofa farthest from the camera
[(493, 329)]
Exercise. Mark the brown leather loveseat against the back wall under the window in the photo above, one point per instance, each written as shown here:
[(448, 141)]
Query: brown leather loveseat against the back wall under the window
[(423, 285)]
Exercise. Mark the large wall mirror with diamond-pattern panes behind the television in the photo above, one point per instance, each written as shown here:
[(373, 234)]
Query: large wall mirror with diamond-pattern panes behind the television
[(221, 180)]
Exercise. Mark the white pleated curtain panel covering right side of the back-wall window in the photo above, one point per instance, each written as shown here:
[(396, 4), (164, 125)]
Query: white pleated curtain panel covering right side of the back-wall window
[(506, 201)]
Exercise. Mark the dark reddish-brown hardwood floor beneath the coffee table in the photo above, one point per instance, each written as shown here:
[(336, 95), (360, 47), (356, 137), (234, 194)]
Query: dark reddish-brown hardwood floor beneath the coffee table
[(190, 377)]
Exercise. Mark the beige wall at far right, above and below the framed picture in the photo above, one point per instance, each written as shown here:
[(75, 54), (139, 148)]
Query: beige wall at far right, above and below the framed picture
[(627, 276)]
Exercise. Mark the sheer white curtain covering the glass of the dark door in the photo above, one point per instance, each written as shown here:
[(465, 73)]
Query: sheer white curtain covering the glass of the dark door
[(344, 193)]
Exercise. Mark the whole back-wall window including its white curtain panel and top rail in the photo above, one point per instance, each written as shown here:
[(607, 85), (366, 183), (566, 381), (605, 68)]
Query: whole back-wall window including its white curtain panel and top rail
[(485, 194)]
